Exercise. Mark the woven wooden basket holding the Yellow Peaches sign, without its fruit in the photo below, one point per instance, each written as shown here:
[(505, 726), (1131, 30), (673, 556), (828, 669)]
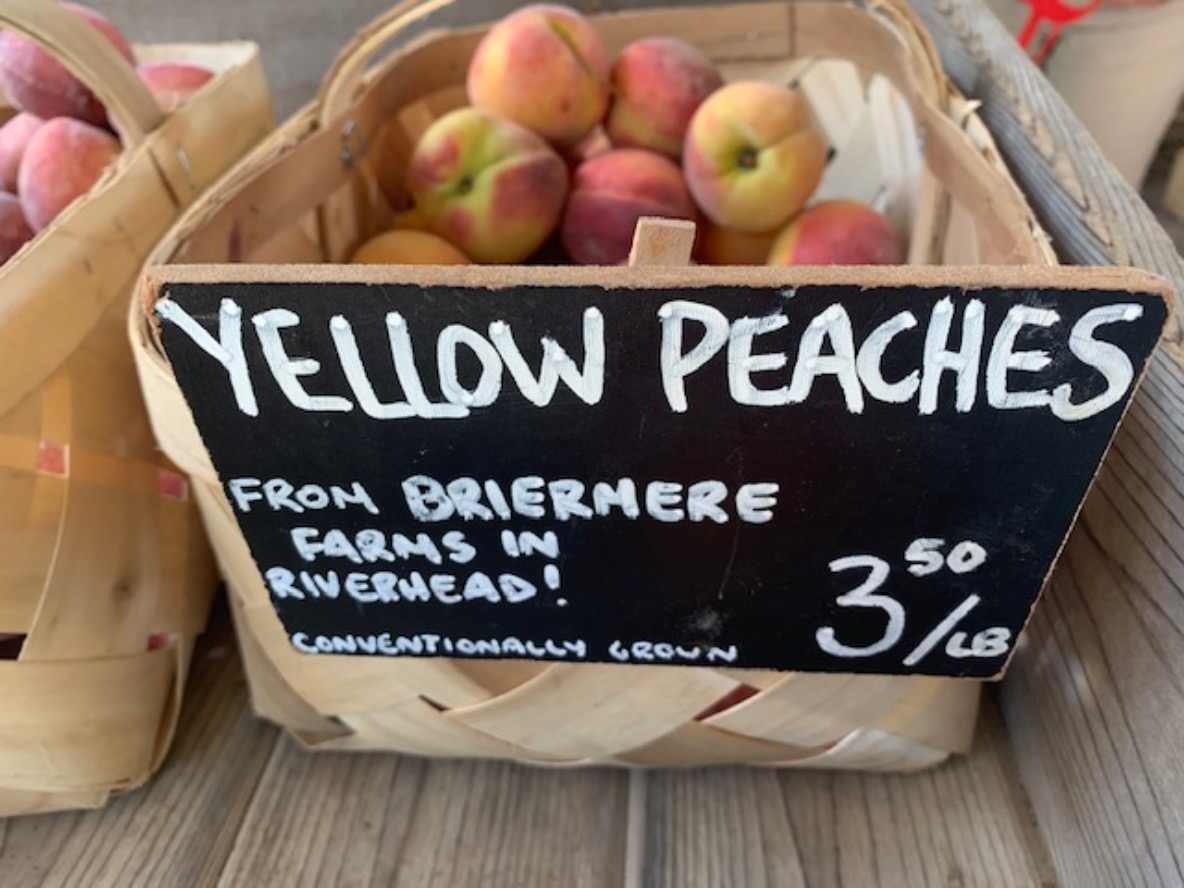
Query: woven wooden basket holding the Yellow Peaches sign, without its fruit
[(331, 176)]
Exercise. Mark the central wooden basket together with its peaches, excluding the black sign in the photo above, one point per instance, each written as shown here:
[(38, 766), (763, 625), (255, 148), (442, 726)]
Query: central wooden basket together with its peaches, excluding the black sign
[(376, 170)]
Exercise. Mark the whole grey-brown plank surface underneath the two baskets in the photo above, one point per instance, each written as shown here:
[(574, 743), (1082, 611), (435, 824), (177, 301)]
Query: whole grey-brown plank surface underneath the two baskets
[(239, 803)]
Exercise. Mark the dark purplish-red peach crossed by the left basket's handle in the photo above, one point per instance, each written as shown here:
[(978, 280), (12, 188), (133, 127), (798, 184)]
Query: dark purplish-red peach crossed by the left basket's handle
[(38, 83)]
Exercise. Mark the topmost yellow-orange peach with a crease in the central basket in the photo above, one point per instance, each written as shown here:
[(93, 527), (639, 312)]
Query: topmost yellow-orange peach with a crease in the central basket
[(546, 68)]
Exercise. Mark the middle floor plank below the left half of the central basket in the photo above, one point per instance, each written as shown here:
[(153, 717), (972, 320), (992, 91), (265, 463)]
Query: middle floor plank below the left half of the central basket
[(379, 820)]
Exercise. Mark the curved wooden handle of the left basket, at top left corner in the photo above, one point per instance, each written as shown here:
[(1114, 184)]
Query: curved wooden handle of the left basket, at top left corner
[(91, 57)]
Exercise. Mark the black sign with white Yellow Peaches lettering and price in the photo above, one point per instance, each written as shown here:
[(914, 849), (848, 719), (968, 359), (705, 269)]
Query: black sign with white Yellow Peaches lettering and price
[(859, 472)]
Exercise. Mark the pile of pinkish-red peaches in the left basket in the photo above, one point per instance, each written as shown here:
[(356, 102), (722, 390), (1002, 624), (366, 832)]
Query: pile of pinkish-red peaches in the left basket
[(59, 145)]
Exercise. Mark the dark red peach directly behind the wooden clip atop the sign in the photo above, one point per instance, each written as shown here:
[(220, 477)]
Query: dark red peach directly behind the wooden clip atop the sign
[(610, 194)]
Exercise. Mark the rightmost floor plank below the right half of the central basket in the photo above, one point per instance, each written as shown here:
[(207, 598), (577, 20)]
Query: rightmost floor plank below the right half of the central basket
[(963, 823)]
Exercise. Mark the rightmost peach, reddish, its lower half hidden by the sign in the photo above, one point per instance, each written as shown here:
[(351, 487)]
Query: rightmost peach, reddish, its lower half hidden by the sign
[(838, 233)]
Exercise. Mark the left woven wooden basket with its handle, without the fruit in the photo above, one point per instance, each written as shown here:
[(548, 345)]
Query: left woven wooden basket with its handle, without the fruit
[(102, 554)]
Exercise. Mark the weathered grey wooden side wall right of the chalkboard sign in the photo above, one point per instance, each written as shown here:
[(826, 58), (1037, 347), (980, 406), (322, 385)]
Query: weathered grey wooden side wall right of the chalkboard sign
[(1096, 700)]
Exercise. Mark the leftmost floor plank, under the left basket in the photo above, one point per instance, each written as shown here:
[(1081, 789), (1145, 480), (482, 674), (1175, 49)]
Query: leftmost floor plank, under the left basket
[(181, 828)]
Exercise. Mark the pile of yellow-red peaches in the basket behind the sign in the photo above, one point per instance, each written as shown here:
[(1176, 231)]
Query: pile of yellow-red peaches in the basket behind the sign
[(563, 149)]
